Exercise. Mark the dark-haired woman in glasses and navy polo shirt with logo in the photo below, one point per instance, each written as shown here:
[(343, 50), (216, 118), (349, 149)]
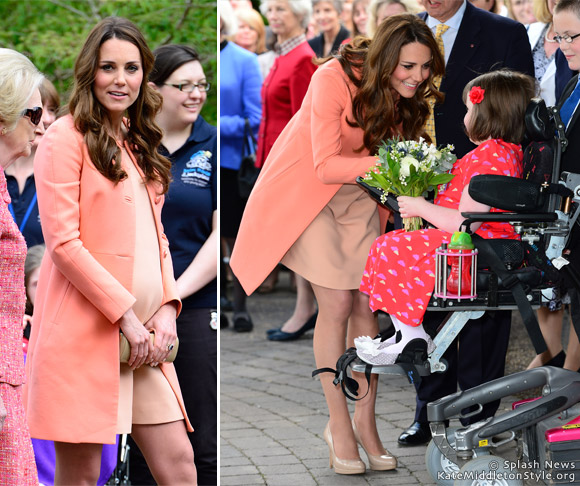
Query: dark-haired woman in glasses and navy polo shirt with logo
[(190, 220)]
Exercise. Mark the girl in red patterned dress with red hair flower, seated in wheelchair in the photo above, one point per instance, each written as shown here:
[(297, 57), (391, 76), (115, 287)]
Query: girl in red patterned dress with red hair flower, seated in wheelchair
[(399, 275)]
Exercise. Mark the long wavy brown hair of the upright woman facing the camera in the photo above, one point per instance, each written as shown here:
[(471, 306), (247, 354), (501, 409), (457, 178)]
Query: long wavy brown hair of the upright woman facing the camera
[(91, 118)]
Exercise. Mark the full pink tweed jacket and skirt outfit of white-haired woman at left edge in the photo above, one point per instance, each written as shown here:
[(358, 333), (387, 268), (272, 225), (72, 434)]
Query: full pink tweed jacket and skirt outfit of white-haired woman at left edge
[(17, 465)]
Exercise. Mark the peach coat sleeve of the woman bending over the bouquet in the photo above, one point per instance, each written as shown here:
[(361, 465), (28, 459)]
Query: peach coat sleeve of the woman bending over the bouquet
[(329, 97)]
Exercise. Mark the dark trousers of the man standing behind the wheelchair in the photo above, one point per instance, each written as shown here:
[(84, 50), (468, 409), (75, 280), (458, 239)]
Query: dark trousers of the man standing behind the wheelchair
[(475, 357)]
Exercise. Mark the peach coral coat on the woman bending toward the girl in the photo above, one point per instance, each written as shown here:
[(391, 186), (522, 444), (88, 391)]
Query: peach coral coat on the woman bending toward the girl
[(309, 162)]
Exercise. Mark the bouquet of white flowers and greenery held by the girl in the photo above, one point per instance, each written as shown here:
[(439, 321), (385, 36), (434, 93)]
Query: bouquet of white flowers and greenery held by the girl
[(410, 168)]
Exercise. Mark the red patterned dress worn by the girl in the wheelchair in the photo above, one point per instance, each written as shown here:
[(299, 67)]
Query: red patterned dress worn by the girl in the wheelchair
[(399, 275)]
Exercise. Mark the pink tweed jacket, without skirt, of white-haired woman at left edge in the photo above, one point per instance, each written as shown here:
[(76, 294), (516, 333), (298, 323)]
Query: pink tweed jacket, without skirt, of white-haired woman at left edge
[(12, 293)]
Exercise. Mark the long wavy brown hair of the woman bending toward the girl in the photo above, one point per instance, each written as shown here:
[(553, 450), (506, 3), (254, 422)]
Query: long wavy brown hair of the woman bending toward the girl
[(369, 64)]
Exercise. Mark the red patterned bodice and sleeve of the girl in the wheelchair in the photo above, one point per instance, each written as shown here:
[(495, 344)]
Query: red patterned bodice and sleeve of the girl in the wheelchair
[(491, 157)]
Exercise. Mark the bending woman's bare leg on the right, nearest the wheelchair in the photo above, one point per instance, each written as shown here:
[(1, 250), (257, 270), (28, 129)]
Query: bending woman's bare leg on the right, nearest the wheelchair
[(363, 322)]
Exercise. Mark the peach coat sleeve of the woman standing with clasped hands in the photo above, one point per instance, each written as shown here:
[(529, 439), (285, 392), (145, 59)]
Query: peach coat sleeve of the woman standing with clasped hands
[(57, 167)]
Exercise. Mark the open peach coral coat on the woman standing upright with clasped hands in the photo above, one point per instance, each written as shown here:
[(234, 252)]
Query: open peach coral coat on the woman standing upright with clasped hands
[(84, 288)]
